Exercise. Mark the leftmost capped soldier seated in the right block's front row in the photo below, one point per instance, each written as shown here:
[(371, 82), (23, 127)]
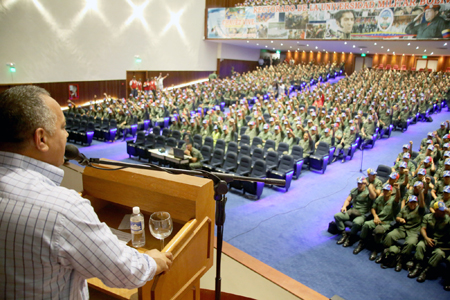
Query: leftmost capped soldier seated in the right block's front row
[(361, 199)]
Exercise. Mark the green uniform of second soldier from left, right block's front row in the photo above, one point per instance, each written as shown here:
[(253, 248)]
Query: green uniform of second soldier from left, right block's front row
[(386, 211)]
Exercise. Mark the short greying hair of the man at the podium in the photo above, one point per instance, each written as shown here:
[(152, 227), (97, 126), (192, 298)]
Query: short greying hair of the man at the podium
[(22, 111)]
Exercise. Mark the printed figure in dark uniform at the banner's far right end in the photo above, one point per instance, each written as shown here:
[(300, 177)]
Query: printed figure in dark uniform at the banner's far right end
[(434, 27)]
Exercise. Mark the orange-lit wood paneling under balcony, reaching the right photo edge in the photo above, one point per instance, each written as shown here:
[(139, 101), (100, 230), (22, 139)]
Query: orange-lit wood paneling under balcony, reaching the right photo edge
[(408, 60)]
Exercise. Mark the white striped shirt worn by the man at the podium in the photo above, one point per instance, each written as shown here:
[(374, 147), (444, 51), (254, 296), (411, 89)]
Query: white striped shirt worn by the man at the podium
[(51, 240)]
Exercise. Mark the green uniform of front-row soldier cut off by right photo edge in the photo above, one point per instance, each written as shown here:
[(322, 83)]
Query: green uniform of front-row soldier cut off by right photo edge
[(437, 229)]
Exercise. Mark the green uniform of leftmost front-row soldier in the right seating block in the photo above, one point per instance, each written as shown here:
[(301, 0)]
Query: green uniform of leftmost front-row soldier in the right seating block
[(361, 205)]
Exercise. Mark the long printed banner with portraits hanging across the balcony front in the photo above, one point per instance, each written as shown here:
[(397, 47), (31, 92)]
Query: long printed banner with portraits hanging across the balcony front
[(378, 19)]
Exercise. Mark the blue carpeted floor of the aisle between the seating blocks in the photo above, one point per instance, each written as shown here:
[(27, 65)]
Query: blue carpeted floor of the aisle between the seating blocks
[(288, 231)]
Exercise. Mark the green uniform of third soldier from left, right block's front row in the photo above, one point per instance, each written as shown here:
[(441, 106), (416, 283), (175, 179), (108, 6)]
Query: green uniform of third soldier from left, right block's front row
[(408, 231)]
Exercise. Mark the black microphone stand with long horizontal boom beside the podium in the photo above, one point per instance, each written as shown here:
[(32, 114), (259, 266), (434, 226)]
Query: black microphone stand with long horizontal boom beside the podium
[(220, 180)]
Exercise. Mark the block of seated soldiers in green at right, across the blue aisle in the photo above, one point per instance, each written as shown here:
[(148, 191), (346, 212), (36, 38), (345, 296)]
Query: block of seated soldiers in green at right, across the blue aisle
[(404, 212)]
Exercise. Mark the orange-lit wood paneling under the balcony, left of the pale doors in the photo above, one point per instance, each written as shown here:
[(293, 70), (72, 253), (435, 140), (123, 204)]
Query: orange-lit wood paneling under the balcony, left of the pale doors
[(323, 58)]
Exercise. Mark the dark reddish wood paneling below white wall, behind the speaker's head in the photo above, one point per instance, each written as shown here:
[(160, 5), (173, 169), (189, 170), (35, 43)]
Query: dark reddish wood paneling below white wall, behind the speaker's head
[(87, 89)]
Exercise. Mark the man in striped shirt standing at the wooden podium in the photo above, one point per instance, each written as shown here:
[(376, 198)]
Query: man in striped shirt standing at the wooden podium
[(52, 240)]
